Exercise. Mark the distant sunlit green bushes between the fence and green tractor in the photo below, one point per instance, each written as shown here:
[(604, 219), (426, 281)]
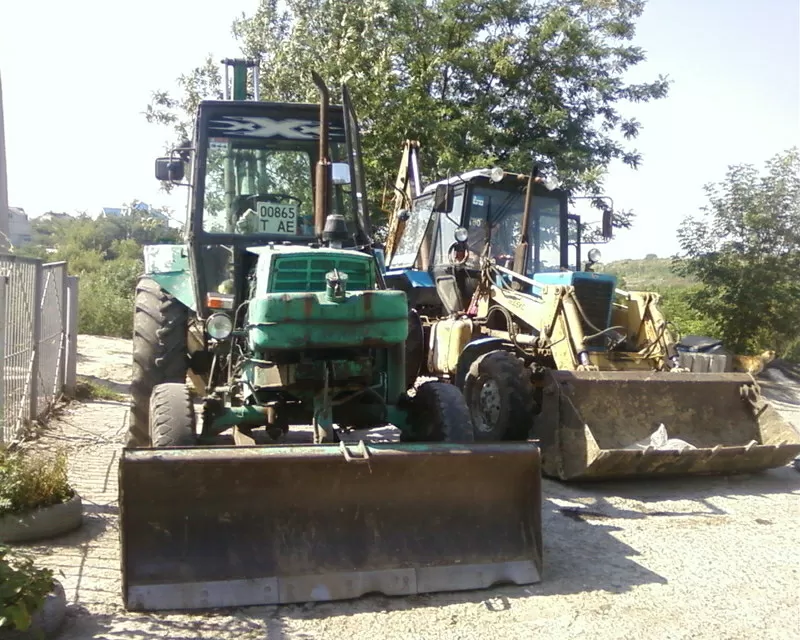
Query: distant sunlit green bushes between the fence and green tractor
[(107, 255)]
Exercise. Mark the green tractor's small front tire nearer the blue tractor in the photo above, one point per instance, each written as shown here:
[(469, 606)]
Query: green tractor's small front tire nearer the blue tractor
[(438, 413)]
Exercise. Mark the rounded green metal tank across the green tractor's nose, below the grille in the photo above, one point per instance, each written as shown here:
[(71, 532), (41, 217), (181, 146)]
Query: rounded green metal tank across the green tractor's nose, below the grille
[(309, 320)]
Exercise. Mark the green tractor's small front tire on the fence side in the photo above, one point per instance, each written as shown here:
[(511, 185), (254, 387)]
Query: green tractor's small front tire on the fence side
[(172, 418)]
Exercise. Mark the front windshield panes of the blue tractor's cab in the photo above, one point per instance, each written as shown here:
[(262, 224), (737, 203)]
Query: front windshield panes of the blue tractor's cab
[(495, 220)]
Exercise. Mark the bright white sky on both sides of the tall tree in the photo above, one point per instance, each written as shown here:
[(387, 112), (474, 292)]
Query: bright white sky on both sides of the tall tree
[(78, 75)]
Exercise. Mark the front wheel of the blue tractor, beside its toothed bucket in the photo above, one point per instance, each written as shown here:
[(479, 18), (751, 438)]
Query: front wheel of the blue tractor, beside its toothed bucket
[(500, 397)]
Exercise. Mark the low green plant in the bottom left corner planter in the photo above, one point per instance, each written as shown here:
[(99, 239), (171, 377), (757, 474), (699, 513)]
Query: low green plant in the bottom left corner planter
[(23, 589)]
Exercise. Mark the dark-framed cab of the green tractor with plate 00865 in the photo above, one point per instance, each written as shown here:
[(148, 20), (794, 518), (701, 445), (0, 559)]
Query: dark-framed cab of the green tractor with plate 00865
[(254, 168)]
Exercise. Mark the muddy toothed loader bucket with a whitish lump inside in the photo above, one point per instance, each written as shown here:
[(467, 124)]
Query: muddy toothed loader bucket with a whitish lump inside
[(614, 424)]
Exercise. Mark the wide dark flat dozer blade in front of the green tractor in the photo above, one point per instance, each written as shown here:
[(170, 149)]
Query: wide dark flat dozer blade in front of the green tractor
[(221, 526)]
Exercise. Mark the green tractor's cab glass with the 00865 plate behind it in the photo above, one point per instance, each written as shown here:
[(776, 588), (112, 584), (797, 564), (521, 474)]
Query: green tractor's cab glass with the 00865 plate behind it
[(265, 186)]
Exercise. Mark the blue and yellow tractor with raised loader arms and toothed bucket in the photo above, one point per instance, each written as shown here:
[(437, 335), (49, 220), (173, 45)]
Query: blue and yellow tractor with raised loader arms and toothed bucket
[(542, 348)]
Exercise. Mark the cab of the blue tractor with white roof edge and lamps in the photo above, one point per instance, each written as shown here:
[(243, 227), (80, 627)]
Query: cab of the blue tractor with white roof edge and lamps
[(454, 225)]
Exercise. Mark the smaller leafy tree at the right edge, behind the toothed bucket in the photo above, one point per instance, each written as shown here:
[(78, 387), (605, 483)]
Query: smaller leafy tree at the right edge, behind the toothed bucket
[(745, 250)]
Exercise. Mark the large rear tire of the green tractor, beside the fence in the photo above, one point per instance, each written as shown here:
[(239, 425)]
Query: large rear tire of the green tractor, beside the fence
[(160, 324)]
